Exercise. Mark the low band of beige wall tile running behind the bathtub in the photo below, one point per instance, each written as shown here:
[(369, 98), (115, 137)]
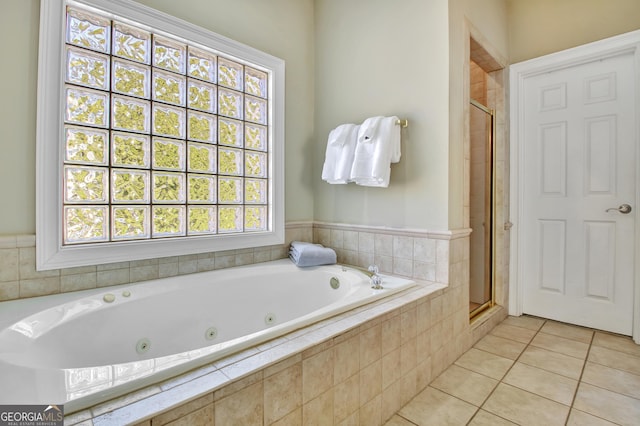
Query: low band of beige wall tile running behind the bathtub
[(419, 254)]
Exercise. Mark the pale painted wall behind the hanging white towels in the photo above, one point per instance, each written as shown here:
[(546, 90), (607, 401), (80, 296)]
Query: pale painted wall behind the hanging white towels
[(377, 57)]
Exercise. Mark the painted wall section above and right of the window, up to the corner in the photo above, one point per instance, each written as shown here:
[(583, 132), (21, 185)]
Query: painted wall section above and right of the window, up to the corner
[(283, 28)]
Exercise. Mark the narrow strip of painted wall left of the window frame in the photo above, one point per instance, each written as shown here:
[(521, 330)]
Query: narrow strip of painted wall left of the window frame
[(19, 32)]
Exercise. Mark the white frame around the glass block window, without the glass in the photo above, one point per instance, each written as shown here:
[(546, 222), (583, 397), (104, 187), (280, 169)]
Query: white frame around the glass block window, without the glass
[(51, 253)]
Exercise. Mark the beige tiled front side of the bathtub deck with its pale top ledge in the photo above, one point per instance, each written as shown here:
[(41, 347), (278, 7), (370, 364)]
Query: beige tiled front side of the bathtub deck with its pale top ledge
[(359, 367)]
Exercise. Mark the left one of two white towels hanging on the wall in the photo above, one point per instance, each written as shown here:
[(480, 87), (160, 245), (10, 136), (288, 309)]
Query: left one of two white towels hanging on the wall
[(341, 146)]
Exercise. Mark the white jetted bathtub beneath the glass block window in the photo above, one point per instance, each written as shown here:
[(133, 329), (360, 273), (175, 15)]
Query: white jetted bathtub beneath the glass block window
[(85, 347)]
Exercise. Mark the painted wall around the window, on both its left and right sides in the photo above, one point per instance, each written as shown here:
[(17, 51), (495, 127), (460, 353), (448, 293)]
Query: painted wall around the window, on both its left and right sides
[(283, 28)]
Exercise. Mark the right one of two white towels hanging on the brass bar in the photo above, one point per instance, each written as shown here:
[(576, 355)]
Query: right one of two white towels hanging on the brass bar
[(378, 146)]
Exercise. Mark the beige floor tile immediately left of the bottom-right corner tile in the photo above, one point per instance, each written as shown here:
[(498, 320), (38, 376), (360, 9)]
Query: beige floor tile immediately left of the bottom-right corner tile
[(541, 382)]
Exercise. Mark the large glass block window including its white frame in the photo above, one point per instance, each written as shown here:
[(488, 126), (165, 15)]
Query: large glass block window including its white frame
[(155, 137)]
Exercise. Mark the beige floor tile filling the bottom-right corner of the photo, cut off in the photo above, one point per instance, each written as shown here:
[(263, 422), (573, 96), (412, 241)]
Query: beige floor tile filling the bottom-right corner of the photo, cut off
[(608, 405)]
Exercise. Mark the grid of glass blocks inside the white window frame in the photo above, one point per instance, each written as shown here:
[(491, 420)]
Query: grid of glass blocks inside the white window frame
[(163, 137)]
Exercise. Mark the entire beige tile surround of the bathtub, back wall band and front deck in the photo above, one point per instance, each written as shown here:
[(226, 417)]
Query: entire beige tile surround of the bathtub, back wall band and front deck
[(414, 337)]
